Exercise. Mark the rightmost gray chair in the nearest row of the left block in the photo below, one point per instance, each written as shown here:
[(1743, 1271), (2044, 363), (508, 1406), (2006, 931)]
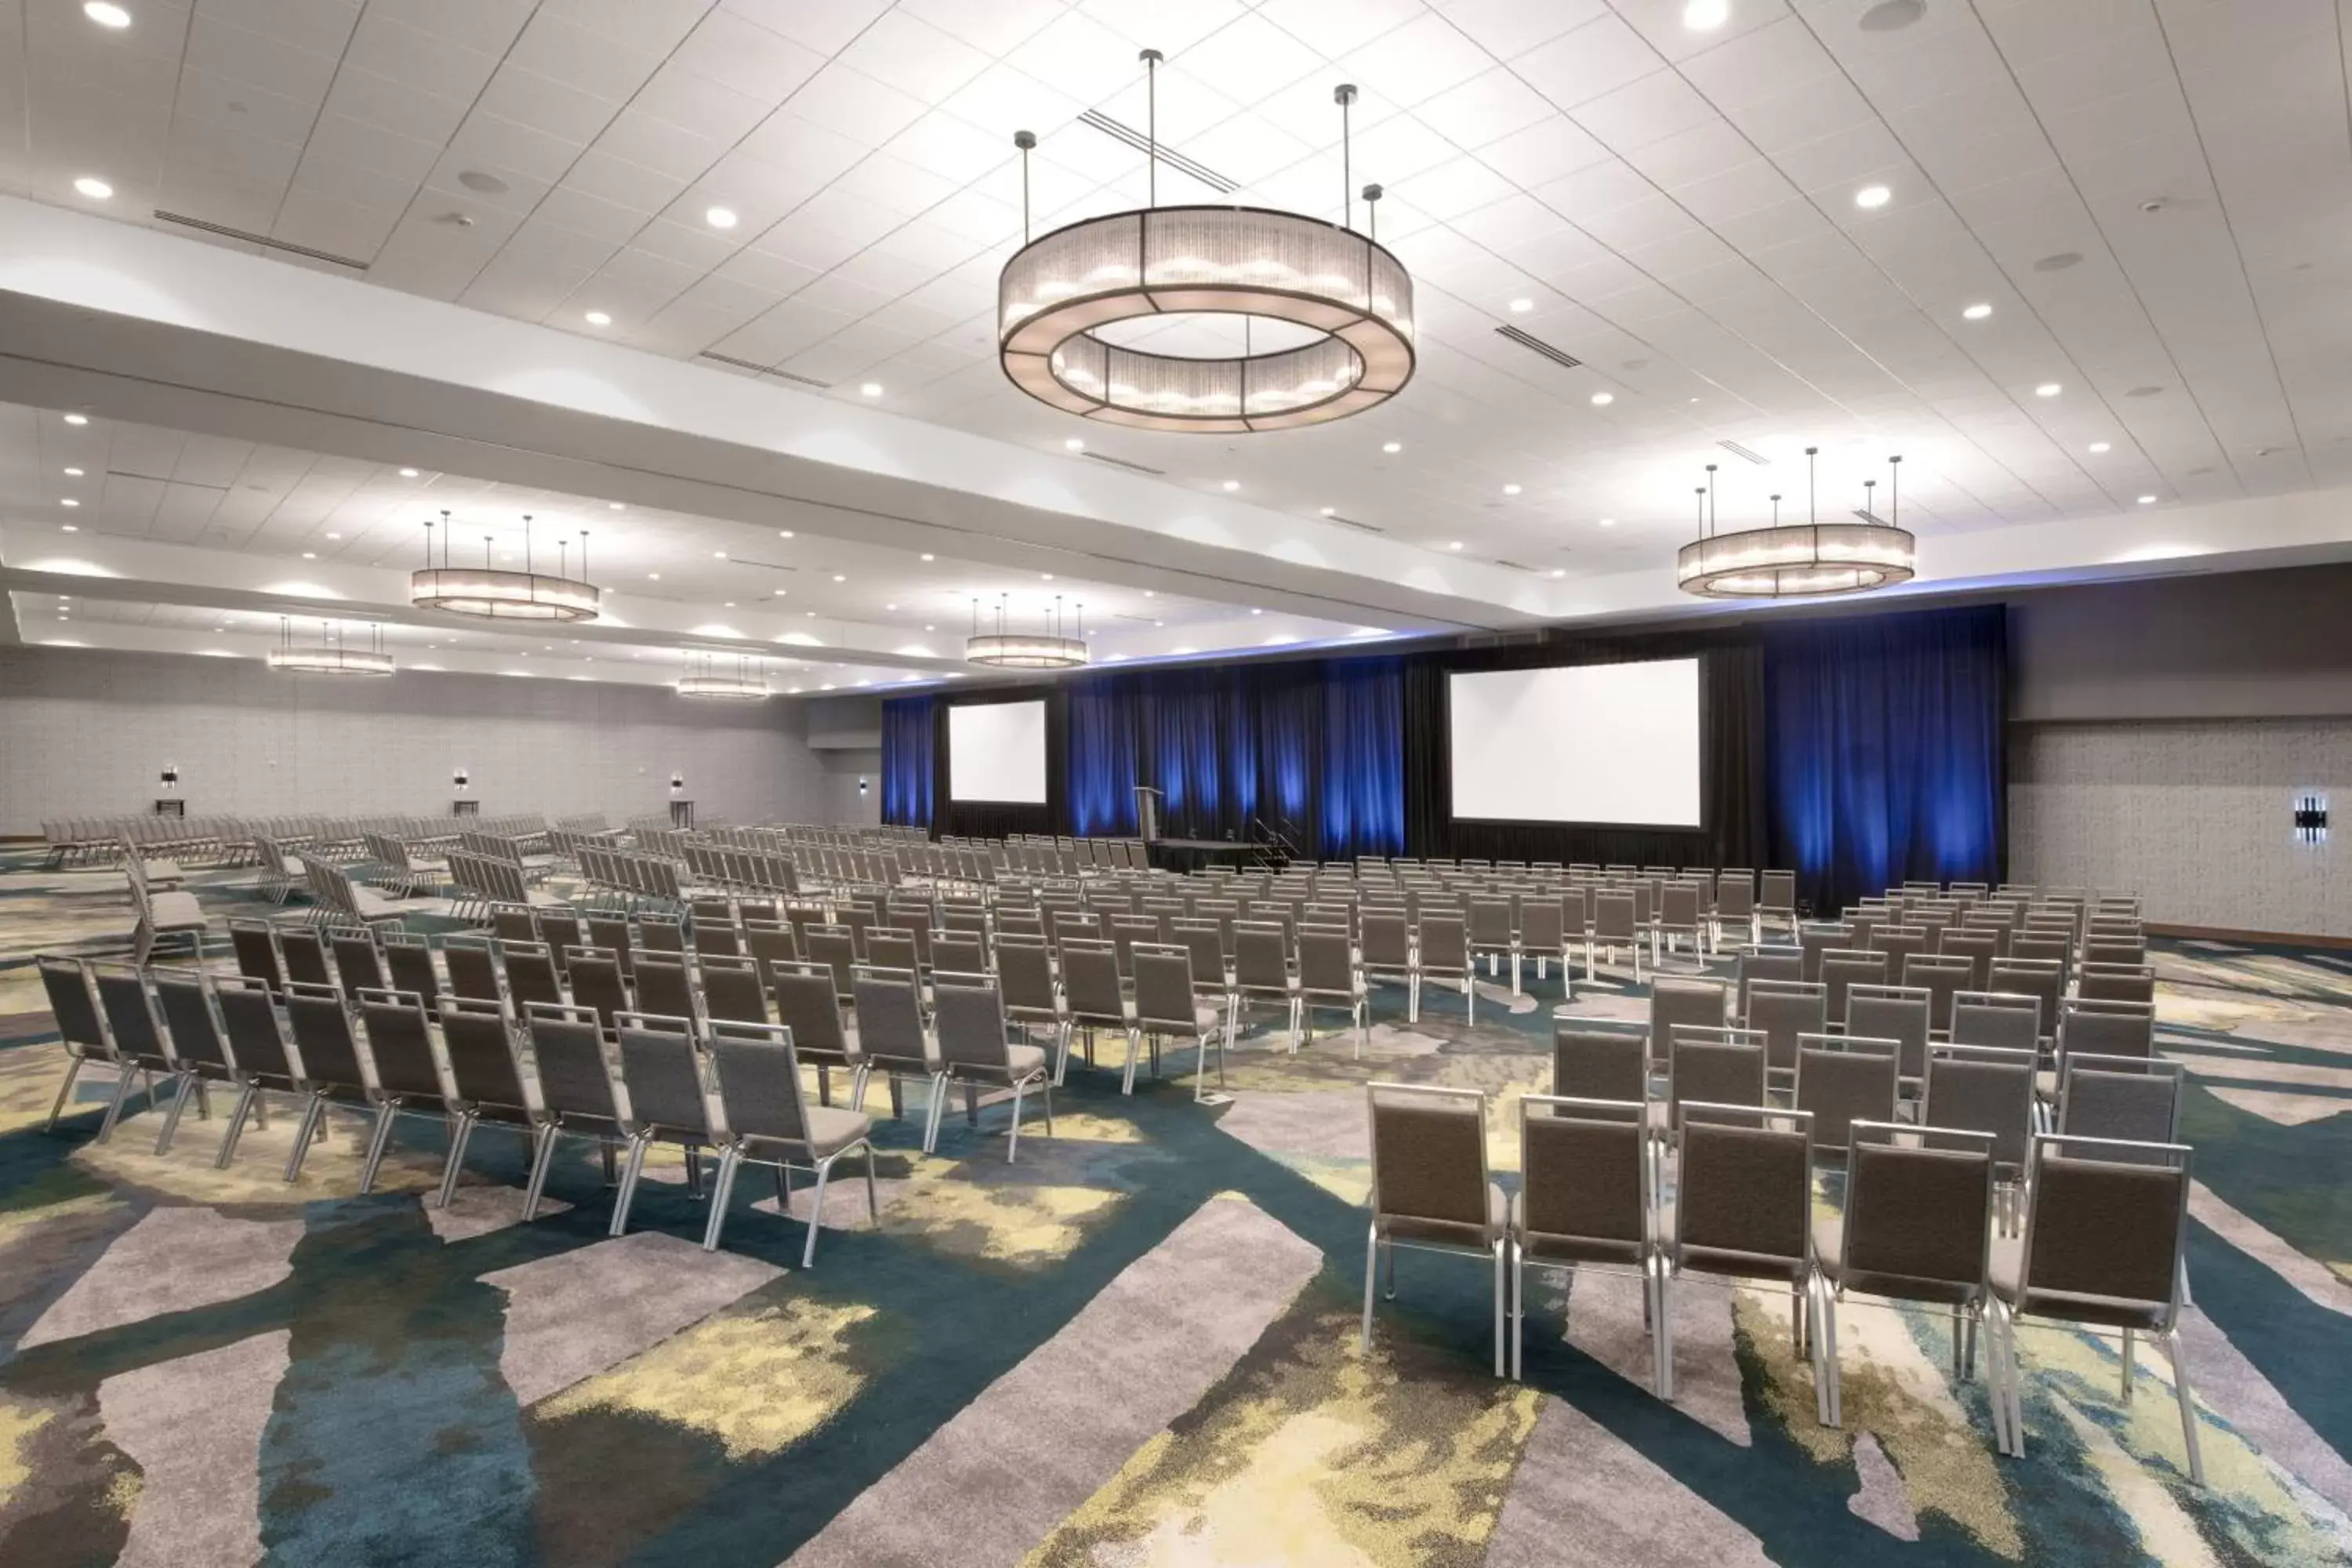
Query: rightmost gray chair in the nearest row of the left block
[(768, 1120)]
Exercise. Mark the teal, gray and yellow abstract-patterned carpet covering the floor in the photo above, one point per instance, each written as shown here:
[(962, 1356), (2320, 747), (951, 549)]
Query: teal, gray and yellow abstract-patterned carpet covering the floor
[(1132, 1348)]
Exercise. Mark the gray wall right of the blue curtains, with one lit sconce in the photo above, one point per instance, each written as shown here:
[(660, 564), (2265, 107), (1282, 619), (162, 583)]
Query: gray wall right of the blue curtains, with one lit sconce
[(2160, 732)]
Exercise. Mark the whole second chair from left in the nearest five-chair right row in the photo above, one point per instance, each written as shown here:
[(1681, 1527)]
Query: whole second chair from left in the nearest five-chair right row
[(1584, 1202)]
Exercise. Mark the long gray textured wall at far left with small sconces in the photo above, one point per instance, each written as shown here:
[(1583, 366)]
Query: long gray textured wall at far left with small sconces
[(86, 732)]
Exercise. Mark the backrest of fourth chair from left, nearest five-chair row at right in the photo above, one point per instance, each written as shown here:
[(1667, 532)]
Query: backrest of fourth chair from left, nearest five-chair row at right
[(1918, 1212)]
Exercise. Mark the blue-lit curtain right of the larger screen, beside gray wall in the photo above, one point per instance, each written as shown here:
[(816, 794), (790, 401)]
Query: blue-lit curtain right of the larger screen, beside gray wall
[(1885, 751)]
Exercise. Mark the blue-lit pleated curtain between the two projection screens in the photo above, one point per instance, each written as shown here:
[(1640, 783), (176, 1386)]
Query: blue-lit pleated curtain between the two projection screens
[(1304, 751)]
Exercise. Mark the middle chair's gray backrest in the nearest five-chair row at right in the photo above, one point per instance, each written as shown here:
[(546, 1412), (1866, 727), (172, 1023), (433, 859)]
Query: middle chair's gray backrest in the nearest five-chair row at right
[(1744, 1200)]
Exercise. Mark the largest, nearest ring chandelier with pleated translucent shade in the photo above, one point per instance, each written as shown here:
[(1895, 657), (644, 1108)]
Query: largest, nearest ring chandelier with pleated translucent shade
[(1309, 276)]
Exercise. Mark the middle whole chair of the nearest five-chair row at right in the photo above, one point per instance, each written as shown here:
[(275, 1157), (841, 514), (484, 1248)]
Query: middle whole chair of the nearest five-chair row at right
[(1744, 1209)]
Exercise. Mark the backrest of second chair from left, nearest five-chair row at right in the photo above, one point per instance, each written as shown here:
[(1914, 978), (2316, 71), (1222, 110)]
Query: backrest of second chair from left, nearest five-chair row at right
[(1584, 1177)]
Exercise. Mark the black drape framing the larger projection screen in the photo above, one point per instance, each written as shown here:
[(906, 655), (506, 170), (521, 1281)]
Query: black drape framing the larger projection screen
[(1732, 758)]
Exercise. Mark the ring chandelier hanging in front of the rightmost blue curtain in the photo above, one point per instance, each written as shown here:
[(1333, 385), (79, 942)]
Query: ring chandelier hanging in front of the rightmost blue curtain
[(1800, 558)]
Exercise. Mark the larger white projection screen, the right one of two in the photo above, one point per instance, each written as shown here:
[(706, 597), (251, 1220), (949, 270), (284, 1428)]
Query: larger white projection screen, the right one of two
[(1582, 744)]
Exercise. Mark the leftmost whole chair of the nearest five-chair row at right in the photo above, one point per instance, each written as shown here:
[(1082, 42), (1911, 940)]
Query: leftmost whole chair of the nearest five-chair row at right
[(1431, 1188)]
